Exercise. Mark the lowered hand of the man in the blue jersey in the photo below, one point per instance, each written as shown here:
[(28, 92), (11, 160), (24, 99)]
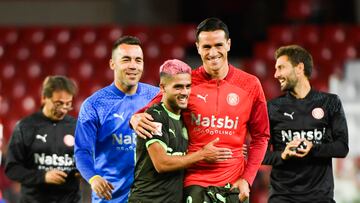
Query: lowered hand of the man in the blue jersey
[(101, 187)]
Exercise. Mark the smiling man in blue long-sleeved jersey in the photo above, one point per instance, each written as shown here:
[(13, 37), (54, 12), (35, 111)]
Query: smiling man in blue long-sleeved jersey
[(104, 141)]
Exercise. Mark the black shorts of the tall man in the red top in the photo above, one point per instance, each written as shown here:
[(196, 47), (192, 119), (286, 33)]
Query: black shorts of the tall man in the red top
[(211, 194)]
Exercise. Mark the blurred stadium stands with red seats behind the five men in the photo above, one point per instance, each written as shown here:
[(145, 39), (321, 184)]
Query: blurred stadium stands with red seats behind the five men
[(74, 38)]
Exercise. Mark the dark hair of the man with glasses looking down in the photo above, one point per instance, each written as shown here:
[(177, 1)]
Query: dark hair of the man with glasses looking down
[(58, 83)]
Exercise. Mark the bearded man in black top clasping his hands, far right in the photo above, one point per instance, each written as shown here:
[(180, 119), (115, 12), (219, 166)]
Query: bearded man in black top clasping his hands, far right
[(308, 128)]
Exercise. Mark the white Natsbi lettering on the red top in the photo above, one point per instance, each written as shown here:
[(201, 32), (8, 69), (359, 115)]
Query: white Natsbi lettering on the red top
[(215, 122)]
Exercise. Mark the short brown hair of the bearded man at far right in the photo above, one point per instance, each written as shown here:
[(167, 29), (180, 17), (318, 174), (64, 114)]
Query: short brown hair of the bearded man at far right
[(296, 54)]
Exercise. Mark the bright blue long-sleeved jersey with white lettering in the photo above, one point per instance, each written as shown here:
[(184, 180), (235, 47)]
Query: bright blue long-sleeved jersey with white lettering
[(104, 141)]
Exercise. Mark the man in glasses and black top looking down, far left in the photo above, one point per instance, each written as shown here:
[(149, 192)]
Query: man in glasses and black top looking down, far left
[(41, 154)]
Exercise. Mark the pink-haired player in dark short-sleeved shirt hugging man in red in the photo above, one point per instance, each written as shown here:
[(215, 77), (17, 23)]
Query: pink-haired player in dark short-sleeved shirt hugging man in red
[(160, 160)]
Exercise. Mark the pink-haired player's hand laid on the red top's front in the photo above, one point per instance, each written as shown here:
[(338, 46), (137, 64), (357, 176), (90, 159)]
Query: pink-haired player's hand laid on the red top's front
[(213, 154)]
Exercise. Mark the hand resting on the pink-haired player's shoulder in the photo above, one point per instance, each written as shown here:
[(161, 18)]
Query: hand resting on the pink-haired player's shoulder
[(143, 125)]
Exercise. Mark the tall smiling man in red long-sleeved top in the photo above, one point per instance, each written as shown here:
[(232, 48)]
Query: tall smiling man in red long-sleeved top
[(227, 103)]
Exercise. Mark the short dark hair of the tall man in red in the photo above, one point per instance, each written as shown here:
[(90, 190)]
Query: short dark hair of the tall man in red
[(212, 24)]
